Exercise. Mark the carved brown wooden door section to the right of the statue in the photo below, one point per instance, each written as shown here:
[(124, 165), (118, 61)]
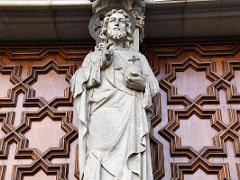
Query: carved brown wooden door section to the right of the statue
[(200, 107)]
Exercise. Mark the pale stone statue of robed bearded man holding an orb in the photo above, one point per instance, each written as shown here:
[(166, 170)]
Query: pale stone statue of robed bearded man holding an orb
[(113, 92)]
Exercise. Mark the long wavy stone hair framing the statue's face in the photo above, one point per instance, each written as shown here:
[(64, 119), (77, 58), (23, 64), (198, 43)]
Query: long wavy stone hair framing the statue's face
[(103, 34)]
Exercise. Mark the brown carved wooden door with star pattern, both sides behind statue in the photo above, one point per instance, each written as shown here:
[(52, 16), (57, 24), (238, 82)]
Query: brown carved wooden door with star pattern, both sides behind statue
[(195, 127)]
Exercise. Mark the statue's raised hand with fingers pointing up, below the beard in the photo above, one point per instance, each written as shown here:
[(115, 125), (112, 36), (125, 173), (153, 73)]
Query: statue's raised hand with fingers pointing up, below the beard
[(106, 56)]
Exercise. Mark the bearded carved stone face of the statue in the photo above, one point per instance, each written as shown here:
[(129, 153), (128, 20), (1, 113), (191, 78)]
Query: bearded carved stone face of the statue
[(116, 28)]
